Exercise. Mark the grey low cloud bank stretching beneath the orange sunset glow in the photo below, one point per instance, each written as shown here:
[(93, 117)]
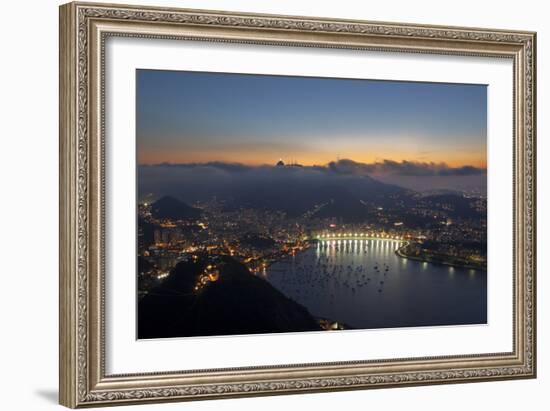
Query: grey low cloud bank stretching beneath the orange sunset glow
[(203, 180)]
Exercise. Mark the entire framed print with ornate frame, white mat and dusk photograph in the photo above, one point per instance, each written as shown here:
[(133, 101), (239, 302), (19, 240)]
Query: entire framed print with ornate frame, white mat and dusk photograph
[(258, 204)]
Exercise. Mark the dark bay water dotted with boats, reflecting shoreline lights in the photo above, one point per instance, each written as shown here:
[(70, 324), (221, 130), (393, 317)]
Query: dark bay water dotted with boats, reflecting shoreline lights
[(364, 284)]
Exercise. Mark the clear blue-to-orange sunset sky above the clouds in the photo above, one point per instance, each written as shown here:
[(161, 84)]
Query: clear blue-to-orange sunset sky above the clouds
[(192, 117)]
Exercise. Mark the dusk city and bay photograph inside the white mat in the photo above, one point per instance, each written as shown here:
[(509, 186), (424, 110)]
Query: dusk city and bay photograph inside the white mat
[(284, 204)]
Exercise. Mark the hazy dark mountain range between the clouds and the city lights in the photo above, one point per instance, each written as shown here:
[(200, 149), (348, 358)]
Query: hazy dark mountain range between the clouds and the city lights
[(348, 198)]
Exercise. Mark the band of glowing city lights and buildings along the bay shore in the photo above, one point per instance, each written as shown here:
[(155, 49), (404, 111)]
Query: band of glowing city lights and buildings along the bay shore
[(222, 236)]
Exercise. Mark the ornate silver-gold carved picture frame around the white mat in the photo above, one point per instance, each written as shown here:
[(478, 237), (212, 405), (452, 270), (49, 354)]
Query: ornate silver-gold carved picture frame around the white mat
[(83, 30)]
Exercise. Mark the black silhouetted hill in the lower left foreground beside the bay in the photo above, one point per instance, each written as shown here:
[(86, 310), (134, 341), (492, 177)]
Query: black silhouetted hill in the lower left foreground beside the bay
[(237, 303)]
